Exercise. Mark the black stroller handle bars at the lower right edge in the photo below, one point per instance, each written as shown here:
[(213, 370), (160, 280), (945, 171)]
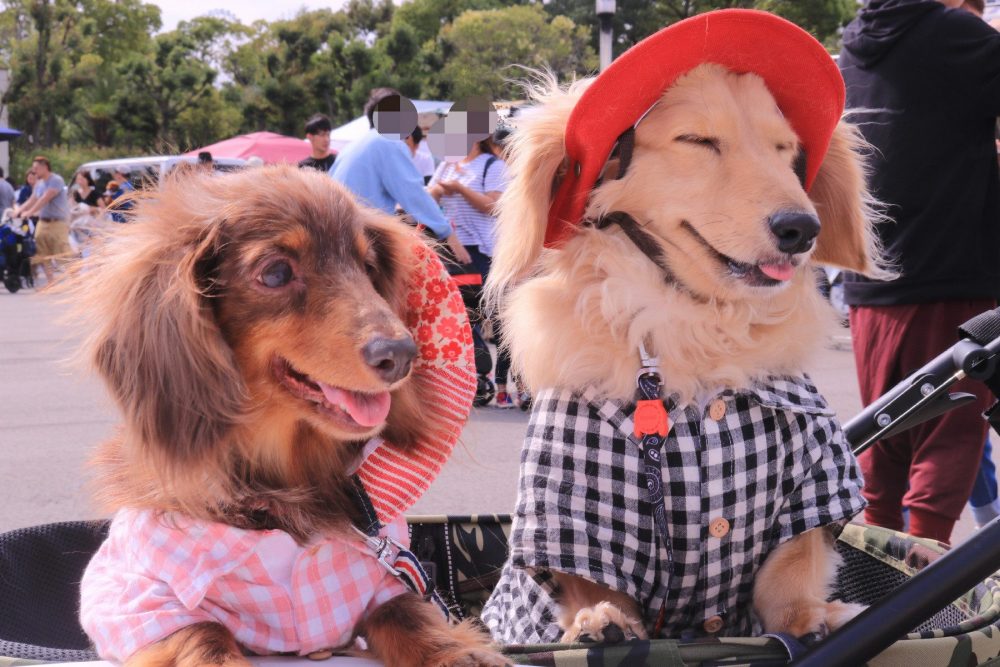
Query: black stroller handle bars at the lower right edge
[(918, 398)]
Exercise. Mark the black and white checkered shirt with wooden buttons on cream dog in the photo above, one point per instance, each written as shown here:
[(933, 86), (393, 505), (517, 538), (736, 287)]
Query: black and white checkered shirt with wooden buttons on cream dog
[(770, 460)]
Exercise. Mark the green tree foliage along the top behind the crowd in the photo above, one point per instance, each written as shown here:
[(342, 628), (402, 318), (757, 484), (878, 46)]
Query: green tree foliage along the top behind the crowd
[(101, 73)]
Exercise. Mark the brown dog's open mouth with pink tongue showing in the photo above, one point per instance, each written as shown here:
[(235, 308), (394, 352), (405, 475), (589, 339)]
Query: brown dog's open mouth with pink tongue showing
[(352, 409)]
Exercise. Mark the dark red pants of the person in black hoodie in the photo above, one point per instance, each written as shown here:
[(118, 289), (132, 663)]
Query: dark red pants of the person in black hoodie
[(930, 468)]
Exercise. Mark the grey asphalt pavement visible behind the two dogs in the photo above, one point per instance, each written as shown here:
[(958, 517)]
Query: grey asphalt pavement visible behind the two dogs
[(54, 414)]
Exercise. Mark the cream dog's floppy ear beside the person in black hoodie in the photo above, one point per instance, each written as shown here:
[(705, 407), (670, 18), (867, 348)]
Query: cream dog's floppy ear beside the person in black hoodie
[(846, 209)]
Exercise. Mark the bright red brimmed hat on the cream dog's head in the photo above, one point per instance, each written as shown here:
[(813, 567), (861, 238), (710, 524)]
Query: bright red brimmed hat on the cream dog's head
[(799, 73)]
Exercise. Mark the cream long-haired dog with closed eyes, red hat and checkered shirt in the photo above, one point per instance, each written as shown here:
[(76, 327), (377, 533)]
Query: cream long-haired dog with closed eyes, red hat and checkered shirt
[(695, 243)]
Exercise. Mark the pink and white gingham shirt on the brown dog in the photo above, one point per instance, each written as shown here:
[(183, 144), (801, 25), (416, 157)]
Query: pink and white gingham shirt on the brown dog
[(157, 574)]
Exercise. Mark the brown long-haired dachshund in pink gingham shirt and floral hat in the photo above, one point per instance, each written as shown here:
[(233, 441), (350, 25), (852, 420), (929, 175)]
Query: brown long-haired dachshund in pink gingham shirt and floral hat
[(255, 330)]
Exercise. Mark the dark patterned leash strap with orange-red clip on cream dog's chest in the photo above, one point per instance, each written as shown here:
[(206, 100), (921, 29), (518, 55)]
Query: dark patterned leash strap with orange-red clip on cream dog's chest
[(652, 424)]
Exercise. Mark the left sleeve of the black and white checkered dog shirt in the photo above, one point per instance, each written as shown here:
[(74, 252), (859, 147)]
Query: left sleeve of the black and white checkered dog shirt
[(574, 489)]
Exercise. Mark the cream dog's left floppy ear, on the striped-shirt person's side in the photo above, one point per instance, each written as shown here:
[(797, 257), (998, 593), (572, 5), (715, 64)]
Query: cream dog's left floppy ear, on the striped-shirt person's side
[(536, 160)]
